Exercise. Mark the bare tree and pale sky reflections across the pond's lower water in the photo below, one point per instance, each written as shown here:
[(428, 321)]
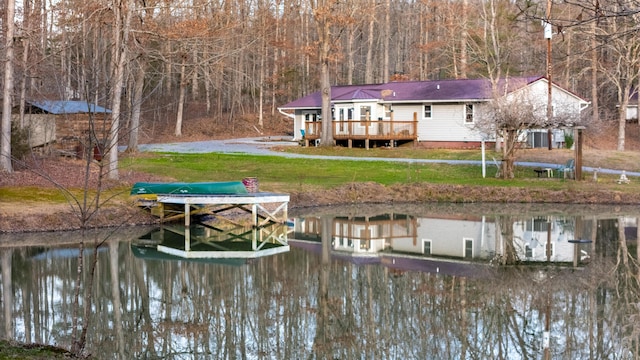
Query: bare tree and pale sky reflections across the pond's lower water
[(306, 305)]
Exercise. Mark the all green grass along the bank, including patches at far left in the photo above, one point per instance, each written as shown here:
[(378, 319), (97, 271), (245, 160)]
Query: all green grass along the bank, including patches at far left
[(284, 174)]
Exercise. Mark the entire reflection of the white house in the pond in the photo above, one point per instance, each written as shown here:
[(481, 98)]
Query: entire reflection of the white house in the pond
[(457, 237)]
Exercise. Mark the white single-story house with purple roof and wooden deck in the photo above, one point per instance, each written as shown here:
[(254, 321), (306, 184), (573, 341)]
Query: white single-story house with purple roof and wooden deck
[(435, 113)]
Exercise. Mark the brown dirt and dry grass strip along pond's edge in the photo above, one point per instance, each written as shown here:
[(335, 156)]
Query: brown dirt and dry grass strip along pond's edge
[(16, 218)]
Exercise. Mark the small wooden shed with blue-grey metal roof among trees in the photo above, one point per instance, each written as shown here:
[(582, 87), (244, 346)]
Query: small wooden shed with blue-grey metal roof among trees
[(65, 125)]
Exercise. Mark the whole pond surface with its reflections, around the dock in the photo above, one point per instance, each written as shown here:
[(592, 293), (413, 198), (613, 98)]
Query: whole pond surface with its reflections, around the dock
[(381, 282)]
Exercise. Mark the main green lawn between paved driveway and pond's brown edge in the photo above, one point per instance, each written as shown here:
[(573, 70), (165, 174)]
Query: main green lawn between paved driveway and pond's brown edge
[(293, 174)]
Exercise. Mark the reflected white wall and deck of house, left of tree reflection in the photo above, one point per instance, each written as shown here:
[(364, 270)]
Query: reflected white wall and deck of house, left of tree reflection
[(447, 237)]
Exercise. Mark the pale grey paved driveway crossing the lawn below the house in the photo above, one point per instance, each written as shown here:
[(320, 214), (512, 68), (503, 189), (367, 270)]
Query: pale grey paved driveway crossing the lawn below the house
[(264, 145)]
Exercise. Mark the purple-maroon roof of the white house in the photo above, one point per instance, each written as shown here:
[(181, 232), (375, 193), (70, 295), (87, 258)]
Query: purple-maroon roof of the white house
[(414, 91)]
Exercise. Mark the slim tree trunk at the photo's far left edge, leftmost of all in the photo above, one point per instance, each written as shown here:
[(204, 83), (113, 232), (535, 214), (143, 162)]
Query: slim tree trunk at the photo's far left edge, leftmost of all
[(7, 92)]
